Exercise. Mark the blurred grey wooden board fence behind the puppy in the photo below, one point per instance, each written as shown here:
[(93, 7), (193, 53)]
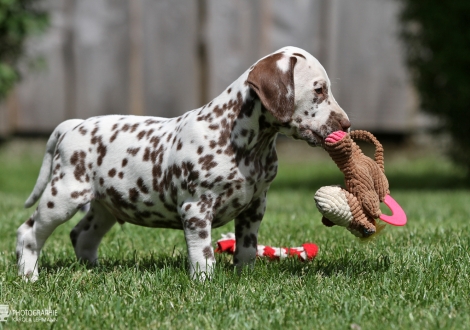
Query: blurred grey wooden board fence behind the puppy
[(164, 57)]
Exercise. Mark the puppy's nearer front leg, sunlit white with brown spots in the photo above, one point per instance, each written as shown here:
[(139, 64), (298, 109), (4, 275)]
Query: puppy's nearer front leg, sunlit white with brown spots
[(197, 231)]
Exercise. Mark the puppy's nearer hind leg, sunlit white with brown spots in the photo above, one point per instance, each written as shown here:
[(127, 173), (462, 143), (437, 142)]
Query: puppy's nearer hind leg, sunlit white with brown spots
[(55, 207)]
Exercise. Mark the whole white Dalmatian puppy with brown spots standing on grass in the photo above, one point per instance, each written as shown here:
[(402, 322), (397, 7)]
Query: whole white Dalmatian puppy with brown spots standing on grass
[(194, 172)]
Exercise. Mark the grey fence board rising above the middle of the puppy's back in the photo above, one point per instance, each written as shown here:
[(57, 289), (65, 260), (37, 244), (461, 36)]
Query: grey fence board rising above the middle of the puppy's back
[(171, 61)]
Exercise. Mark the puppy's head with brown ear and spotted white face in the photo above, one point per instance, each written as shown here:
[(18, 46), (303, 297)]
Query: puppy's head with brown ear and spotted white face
[(294, 87)]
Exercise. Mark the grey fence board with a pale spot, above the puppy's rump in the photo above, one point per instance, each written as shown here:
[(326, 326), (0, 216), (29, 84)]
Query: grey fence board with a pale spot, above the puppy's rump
[(101, 57)]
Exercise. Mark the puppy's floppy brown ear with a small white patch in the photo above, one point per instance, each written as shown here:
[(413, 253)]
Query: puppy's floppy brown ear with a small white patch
[(272, 78)]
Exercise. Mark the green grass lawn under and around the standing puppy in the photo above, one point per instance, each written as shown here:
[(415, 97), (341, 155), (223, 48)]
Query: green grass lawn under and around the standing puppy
[(413, 277)]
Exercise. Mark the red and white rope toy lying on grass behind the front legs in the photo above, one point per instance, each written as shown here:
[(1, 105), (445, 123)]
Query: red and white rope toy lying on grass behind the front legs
[(306, 252)]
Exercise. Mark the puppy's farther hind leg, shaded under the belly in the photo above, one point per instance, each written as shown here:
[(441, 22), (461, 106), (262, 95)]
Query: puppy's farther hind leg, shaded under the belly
[(87, 234)]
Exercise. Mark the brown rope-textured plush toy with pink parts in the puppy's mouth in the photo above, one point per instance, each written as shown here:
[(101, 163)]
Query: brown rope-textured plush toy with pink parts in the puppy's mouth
[(358, 206)]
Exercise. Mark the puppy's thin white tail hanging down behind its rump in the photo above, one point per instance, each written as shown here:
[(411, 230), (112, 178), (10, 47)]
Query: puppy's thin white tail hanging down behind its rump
[(46, 168)]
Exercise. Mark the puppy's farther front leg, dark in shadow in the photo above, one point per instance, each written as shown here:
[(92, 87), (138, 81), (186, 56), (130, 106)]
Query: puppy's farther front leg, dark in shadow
[(246, 233)]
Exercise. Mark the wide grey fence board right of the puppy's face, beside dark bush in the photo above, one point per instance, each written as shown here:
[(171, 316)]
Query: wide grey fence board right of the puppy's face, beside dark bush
[(368, 75)]
